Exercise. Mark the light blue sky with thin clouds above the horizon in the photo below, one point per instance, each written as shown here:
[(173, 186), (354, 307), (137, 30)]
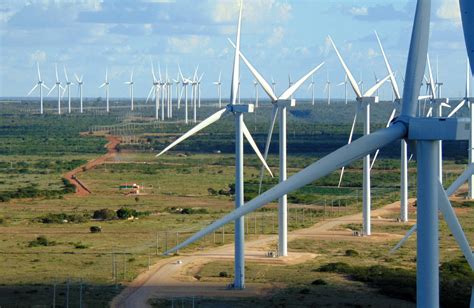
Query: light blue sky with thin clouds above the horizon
[(278, 36)]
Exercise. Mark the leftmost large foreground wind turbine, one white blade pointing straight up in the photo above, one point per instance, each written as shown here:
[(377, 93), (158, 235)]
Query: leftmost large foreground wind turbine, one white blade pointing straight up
[(240, 131)]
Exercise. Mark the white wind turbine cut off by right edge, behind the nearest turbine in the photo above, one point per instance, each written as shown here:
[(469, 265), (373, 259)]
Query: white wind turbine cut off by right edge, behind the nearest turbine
[(467, 101)]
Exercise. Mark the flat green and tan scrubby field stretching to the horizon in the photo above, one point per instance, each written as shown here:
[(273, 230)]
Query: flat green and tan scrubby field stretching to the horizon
[(37, 150)]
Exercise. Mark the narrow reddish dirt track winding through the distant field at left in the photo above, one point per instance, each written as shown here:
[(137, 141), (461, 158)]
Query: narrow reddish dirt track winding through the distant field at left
[(81, 188)]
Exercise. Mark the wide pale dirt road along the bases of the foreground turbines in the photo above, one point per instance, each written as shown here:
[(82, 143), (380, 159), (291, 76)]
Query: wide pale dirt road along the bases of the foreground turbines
[(168, 279)]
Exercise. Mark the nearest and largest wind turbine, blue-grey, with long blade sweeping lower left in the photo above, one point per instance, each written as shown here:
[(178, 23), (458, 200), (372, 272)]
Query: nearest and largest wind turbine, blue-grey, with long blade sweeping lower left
[(423, 131)]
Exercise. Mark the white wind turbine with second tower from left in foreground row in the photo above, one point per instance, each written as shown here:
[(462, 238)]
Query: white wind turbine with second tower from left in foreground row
[(280, 105)]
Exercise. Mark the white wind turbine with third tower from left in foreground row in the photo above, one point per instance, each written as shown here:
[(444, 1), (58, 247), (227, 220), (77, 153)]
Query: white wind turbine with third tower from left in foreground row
[(363, 101)]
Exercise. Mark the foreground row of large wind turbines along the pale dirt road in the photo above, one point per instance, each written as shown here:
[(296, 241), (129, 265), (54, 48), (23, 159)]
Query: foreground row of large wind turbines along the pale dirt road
[(424, 131)]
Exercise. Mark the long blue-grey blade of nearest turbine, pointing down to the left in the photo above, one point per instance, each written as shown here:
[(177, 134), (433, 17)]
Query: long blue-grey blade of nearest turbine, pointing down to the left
[(319, 169)]
